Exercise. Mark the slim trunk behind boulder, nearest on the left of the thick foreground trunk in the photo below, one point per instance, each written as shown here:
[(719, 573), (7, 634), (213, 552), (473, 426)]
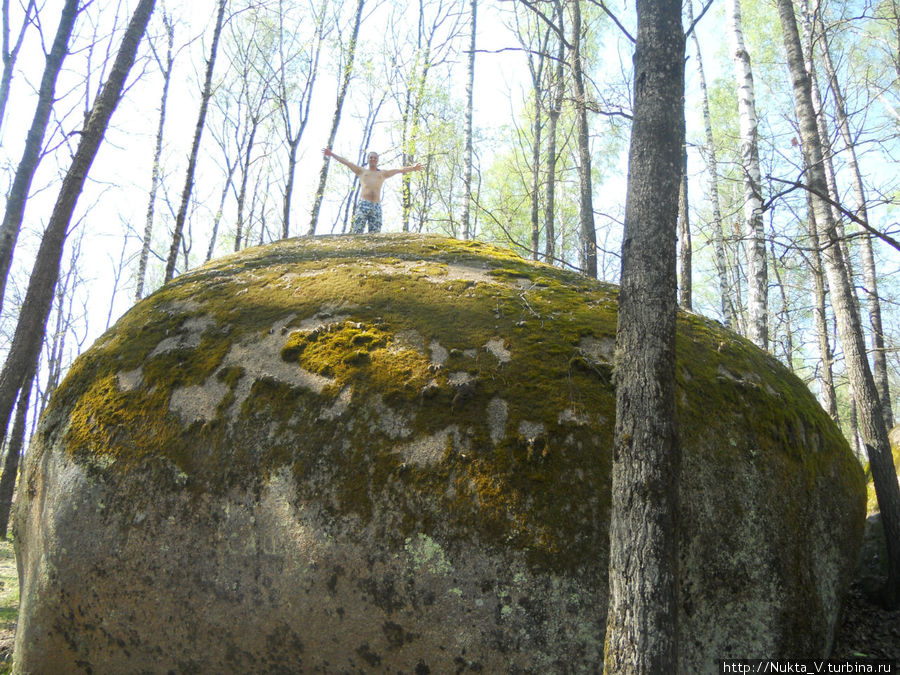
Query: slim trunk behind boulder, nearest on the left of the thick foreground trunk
[(587, 234)]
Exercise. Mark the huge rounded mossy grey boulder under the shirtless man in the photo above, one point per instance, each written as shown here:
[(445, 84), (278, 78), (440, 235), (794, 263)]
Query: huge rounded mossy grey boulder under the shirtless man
[(392, 453)]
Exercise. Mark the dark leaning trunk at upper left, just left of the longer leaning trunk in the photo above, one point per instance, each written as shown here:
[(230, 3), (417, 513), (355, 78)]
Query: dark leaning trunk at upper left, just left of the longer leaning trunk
[(31, 155)]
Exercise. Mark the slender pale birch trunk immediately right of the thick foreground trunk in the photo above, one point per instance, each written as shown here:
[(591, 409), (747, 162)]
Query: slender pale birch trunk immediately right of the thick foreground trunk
[(725, 303)]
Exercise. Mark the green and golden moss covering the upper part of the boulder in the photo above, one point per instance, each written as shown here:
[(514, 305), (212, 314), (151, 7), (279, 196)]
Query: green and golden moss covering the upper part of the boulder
[(411, 334)]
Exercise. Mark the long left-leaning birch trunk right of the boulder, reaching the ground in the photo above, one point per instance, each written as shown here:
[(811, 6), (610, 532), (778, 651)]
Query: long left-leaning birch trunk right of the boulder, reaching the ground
[(872, 428)]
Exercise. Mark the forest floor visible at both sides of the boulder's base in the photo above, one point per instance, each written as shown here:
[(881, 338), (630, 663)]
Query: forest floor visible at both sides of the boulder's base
[(867, 630)]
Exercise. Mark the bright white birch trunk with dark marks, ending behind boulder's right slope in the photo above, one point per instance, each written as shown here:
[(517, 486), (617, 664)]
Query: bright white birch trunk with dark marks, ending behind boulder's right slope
[(757, 281)]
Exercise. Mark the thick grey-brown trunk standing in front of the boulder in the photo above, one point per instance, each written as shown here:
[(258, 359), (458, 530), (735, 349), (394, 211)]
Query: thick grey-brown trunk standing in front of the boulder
[(642, 620)]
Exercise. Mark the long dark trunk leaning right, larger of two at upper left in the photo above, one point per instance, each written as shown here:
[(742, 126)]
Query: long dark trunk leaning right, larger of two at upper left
[(39, 296)]
